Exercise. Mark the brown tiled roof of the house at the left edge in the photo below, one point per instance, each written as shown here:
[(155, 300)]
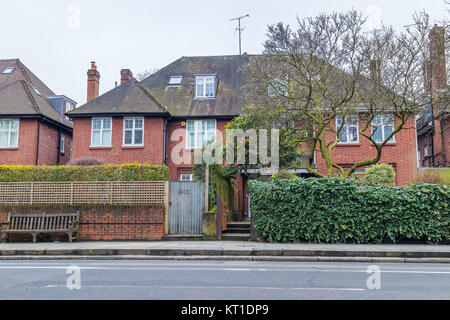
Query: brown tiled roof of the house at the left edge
[(22, 93)]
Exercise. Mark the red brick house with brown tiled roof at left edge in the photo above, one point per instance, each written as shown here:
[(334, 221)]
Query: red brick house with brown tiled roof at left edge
[(34, 129)]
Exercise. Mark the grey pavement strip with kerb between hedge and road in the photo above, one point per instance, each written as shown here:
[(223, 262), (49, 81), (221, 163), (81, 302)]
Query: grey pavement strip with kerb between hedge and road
[(225, 250)]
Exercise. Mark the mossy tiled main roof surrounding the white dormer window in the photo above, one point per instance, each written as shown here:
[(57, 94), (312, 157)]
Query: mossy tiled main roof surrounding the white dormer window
[(180, 99)]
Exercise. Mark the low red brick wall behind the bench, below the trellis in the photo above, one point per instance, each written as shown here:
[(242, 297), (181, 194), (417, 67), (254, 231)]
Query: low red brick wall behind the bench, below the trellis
[(102, 222)]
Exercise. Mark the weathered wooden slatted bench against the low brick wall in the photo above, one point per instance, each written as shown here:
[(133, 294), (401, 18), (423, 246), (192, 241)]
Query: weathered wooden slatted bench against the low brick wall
[(43, 223)]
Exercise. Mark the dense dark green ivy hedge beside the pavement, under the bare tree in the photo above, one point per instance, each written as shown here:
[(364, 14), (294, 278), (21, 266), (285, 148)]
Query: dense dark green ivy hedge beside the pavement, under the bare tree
[(337, 211)]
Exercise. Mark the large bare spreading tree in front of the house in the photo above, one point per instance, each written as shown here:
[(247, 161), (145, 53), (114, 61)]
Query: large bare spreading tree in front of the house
[(328, 74)]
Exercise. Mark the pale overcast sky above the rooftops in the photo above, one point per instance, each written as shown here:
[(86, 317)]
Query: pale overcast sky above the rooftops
[(57, 39)]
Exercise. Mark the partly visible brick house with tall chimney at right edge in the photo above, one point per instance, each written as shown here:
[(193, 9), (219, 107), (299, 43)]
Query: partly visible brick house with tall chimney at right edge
[(433, 134)]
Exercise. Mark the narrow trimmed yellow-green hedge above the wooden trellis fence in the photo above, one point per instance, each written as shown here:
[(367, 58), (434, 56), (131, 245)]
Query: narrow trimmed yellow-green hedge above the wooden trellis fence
[(124, 172)]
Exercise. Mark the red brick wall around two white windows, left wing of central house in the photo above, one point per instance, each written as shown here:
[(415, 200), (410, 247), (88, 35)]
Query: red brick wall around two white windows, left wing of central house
[(151, 152)]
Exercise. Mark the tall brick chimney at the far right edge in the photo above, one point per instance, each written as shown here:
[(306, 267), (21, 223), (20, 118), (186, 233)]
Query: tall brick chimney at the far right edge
[(438, 70)]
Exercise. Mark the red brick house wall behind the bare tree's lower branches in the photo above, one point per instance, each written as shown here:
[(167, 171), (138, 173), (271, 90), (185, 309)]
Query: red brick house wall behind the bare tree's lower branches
[(401, 153)]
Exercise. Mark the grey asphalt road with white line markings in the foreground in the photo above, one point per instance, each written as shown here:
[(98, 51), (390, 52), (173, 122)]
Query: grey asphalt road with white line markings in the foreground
[(111, 279)]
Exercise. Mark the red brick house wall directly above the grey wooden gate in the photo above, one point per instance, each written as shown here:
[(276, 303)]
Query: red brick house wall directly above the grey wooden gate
[(173, 147)]
